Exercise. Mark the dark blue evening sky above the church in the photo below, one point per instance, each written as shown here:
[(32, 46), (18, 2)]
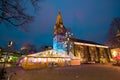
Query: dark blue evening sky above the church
[(88, 19)]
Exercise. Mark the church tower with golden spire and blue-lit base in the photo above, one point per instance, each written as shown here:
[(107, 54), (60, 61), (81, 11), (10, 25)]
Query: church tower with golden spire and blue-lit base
[(59, 34)]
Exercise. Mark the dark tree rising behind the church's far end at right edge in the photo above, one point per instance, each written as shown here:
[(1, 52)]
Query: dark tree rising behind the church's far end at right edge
[(112, 39)]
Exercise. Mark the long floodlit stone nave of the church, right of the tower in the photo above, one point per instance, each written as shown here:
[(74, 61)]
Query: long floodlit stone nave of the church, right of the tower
[(89, 51)]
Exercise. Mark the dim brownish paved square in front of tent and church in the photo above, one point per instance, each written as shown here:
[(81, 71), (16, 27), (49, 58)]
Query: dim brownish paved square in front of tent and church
[(82, 72)]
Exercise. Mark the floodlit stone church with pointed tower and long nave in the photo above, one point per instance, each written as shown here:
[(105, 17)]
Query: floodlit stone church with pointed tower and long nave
[(86, 51)]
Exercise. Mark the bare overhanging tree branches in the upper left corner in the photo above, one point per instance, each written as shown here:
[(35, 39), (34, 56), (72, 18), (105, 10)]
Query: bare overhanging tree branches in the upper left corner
[(13, 11)]
